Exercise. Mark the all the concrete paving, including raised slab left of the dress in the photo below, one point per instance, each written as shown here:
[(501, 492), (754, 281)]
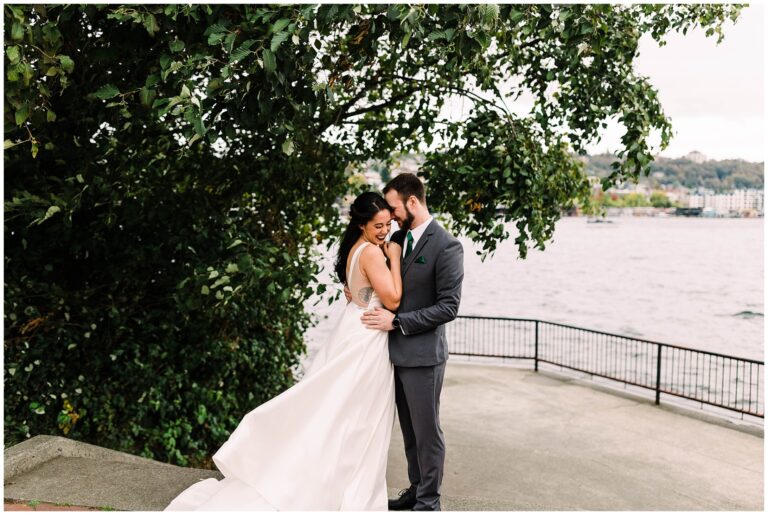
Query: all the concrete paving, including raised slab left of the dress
[(516, 440)]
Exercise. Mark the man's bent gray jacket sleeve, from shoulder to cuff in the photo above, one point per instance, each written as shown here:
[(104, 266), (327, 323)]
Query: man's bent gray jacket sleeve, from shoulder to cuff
[(449, 273)]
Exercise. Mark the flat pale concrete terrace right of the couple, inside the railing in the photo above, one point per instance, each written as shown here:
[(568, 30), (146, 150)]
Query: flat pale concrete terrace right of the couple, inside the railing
[(536, 441)]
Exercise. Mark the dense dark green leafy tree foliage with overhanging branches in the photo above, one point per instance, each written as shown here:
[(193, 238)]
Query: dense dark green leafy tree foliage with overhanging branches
[(170, 168)]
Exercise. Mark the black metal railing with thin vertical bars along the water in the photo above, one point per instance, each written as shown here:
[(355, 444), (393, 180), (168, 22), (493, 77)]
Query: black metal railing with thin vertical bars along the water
[(706, 377)]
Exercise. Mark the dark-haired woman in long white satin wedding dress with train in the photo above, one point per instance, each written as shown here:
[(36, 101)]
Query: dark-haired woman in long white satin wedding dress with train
[(322, 444)]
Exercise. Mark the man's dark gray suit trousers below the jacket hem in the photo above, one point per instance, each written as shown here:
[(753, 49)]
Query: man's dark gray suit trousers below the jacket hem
[(417, 395)]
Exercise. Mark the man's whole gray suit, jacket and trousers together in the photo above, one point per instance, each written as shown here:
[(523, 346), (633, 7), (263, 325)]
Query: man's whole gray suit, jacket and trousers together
[(432, 275)]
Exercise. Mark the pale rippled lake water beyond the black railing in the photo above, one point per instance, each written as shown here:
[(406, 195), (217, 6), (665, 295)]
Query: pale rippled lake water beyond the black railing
[(686, 281)]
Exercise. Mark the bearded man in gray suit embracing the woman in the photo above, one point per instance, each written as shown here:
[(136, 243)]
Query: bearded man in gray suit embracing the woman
[(432, 269)]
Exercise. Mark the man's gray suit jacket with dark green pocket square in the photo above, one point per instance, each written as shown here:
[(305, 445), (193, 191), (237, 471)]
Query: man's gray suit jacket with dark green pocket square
[(432, 276)]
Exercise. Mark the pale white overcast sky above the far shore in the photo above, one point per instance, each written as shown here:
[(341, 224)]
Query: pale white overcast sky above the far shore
[(714, 94)]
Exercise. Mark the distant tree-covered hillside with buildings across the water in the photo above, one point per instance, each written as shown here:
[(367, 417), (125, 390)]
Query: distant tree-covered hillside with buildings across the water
[(714, 175)]
